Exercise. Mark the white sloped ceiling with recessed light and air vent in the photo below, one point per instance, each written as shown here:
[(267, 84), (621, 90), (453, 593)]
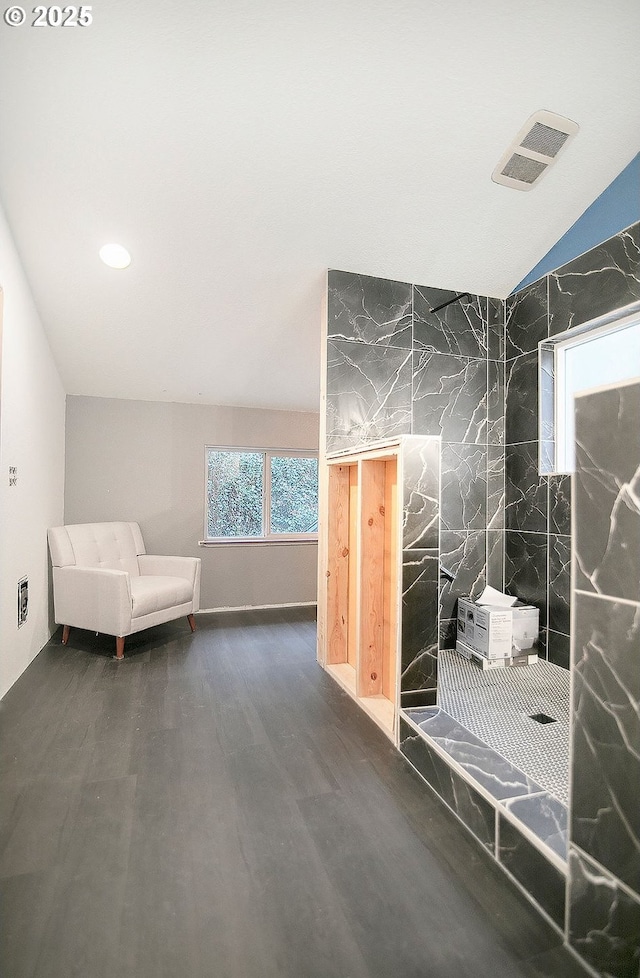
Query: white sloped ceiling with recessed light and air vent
[(239, 149)]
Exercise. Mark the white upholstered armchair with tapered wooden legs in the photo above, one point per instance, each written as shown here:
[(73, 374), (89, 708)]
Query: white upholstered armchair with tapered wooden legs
[(104, 581)]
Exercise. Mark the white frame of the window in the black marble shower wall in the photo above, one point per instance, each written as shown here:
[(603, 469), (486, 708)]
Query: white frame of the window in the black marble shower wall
[(551, 386)]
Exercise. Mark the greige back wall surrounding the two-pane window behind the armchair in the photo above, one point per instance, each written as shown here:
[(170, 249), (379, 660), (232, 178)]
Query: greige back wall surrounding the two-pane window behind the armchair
[(144, 461)]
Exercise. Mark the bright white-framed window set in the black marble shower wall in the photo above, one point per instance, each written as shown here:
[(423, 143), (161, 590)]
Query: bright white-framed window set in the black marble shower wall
[(602, 353)]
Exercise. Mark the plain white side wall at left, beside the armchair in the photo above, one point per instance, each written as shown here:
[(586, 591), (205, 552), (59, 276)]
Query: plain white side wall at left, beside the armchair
[(32, 405)]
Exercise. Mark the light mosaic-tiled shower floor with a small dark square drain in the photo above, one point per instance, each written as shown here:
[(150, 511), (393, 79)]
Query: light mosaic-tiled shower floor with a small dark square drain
[(497, 707)]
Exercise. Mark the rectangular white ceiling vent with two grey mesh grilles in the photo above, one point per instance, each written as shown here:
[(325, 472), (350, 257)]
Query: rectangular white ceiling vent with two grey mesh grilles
[(534, 150)]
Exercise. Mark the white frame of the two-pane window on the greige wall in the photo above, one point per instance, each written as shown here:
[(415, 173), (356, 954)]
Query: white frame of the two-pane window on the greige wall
[(268, 538)]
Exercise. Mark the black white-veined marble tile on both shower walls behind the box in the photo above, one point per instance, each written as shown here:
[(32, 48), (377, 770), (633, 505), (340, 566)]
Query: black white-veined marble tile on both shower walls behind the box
[(469, 374)]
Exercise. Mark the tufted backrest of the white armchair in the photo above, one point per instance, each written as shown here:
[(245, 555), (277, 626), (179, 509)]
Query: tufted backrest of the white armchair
[(114, 546)]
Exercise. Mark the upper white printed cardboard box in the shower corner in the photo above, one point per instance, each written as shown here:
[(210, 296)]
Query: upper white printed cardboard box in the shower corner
[(497, 633)]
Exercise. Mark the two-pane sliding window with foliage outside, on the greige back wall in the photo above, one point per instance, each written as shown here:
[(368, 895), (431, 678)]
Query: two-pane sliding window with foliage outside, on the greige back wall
[(254, 495)]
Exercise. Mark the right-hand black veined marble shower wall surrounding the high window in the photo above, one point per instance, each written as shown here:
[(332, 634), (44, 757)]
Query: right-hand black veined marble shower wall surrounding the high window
[(537, 538)]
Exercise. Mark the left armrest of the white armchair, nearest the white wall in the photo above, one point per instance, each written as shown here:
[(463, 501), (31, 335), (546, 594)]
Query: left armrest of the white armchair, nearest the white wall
[(93, 598)]
